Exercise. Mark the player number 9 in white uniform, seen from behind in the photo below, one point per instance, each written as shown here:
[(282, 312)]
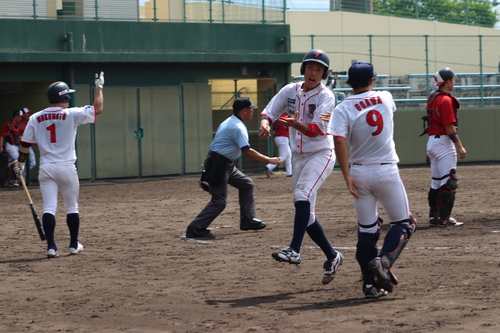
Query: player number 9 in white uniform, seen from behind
[(364, 121)]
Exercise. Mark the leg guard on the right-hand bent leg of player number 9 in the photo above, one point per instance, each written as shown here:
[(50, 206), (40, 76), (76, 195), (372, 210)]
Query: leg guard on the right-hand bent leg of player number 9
[(396, 239)]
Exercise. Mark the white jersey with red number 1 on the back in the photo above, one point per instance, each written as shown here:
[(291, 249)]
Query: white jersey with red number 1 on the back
[(54, 130)]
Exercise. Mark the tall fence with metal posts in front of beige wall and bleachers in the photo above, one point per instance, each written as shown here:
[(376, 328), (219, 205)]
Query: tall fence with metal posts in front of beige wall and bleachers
[(408, 62)]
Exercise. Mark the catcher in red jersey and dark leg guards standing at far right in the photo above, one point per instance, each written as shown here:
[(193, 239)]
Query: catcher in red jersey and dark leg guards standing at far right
[(442, 147)]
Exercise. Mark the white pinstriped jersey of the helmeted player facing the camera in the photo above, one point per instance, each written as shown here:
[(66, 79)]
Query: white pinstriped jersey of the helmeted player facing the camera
[(310, 105)]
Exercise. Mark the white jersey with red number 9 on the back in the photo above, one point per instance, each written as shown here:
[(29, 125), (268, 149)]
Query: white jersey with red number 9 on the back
[(366, 122)]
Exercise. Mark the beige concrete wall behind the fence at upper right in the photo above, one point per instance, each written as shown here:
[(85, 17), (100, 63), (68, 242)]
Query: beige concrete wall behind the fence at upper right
[(397, 46)]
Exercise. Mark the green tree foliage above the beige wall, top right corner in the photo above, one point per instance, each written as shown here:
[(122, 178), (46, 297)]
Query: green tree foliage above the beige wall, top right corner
[(470, 12)]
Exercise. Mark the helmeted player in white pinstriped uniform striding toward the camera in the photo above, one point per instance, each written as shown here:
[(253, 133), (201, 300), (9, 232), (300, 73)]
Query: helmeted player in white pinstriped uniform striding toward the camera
[(313, 155)]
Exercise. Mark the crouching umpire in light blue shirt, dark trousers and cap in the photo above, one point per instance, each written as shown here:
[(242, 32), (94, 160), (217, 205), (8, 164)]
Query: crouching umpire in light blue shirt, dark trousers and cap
[(229, 142)]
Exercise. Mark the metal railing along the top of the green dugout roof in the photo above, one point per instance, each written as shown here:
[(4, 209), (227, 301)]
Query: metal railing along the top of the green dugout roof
[(210, 11)]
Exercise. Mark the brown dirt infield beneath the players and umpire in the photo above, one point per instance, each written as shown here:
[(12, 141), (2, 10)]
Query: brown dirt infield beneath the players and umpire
[(137, 275)]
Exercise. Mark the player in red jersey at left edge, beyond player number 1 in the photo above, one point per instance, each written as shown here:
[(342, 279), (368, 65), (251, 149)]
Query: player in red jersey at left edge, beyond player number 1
[(11, 134)]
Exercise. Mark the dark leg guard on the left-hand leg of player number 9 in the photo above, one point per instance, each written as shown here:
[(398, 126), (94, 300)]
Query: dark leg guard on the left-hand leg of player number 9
[(366, 250)]
